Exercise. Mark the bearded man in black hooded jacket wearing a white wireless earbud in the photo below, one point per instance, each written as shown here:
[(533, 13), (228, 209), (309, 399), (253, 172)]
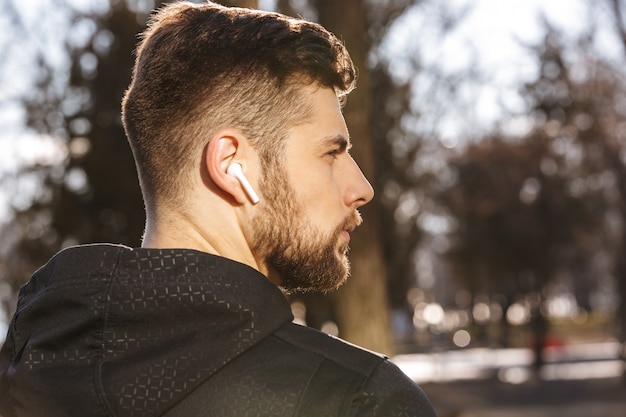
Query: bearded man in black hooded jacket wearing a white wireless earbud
[(235, 123)]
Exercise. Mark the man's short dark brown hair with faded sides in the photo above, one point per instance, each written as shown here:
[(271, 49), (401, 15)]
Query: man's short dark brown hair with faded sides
[(202, 67)]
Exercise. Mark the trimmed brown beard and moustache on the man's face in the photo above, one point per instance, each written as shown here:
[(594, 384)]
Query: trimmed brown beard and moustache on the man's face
[(304, 258)]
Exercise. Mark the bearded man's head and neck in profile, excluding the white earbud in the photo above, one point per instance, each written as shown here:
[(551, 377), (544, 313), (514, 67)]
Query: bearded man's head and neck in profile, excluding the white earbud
[(215, 85)]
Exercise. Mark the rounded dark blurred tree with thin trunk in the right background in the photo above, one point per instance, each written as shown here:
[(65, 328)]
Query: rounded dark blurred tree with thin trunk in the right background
[(517, 224)]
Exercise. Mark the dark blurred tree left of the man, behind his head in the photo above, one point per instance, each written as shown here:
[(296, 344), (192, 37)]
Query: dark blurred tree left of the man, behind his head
[(92, 193)]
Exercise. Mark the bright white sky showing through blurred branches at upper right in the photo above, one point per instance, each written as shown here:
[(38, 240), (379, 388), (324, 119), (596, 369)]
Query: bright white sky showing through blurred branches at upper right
[(490, 39)]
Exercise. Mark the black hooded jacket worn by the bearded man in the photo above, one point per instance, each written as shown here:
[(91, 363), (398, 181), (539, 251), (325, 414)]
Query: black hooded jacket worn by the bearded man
[(105, 330)]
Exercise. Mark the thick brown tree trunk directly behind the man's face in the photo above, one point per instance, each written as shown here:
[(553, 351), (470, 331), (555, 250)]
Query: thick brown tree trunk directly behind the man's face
[(361, 305)]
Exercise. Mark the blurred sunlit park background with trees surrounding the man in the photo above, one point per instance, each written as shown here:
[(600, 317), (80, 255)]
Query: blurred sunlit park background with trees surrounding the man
[(491, 265)]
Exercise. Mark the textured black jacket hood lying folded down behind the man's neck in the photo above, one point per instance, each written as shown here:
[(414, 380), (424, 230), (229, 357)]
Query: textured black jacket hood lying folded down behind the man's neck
[(121, 331)]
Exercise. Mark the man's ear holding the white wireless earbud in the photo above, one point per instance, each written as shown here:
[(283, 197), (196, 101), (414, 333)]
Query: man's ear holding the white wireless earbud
[(222, 150)]
